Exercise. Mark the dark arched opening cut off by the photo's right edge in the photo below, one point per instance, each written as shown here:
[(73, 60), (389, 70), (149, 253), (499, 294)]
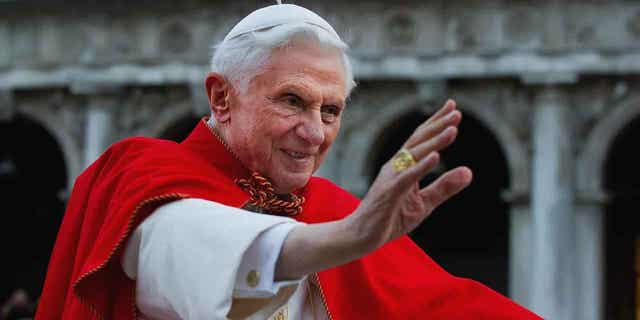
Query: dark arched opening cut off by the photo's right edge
[(621, 224)]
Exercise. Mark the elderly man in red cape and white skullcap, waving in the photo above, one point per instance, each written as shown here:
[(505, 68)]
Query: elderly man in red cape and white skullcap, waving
[(231, 224)]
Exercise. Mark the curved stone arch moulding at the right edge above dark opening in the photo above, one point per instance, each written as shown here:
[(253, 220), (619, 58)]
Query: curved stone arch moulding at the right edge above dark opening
[(593, 156)]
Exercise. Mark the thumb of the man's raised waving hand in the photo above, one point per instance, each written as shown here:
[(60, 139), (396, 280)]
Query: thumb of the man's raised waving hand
[(446, 186)]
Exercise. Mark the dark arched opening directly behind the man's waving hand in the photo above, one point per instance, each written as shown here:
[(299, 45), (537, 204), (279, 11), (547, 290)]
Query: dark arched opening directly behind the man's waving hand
[(464, 242)]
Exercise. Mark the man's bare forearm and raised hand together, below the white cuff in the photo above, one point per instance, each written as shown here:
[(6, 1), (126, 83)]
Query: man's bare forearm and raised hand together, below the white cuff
[(394, 205)]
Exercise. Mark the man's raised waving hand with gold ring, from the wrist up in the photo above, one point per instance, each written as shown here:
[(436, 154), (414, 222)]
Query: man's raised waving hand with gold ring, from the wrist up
[(395, 204)]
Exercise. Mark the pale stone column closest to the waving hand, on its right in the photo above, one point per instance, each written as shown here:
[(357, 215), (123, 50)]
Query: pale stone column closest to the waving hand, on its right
[(552, 269)]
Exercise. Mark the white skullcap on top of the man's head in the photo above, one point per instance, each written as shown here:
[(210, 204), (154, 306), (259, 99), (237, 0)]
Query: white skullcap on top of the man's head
[(276, 15)]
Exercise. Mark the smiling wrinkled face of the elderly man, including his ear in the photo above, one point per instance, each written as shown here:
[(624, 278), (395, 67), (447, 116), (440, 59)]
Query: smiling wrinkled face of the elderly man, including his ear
[(285, 123)]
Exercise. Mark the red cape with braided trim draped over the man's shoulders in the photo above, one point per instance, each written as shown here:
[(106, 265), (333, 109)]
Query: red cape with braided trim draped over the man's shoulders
[(135, 176)]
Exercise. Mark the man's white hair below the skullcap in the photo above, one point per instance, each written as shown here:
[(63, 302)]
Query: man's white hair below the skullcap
[(242, 58)]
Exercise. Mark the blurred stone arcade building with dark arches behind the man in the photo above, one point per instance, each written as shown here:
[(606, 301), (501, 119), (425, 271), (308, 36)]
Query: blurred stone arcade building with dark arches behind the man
[(551, 129)]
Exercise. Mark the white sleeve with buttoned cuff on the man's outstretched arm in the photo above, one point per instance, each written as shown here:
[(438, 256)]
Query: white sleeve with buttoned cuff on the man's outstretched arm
[(186, 258)]
